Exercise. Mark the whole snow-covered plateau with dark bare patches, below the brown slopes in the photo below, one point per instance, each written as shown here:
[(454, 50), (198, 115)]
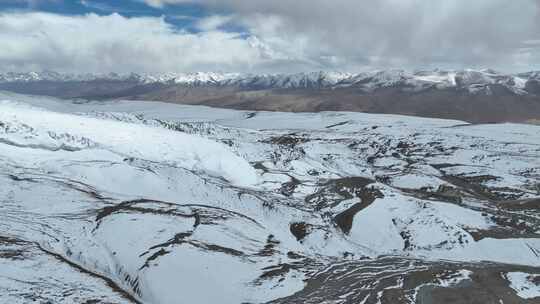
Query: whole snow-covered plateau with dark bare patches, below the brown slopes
[(147, 202)]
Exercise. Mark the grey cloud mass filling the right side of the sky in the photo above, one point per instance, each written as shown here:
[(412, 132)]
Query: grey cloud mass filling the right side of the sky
[(393, 33)]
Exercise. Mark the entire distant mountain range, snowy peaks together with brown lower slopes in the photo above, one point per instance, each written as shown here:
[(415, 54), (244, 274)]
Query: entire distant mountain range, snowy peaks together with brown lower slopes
[(477, 96)]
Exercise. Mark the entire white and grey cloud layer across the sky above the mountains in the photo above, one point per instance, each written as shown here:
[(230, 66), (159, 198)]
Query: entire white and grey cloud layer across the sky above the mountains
[(281, 36)]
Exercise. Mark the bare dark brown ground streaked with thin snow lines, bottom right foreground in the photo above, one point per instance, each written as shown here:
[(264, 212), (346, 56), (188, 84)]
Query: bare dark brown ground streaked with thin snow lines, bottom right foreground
[(390, 280)]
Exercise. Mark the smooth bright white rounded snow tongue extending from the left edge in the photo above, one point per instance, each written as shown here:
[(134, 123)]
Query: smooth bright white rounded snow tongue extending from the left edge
[(37, 127)]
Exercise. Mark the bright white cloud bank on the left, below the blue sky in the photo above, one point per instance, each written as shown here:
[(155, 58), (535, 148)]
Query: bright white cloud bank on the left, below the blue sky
[(36, 41)]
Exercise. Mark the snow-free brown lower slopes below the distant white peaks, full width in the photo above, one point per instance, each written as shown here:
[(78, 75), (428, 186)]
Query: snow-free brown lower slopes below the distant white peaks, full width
[(451, 103)]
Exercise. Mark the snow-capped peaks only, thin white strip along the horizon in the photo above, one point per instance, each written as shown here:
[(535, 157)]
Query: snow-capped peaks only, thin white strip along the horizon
[(474, 80)]
